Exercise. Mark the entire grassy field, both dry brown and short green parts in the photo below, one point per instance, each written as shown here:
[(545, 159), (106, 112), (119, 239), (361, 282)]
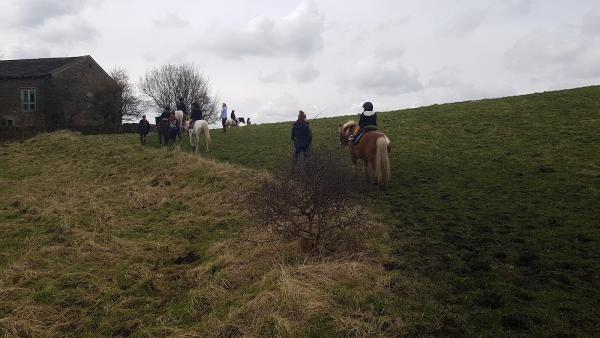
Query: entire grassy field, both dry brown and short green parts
[(491, 227)]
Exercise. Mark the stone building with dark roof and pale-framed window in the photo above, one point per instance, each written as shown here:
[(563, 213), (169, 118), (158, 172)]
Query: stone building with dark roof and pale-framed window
[(52, 93)]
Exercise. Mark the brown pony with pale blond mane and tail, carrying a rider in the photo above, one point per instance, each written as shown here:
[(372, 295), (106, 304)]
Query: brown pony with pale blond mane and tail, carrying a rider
[(373, 149)]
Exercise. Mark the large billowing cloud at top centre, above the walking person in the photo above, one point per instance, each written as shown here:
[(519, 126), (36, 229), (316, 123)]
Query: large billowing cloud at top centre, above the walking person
[(297, 34)]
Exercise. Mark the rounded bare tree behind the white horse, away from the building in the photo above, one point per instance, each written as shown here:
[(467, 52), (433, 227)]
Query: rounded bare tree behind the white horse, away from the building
[(167, 83)]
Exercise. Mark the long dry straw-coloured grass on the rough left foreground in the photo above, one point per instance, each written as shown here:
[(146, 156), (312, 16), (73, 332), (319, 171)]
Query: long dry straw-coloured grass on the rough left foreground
[(91, 227)]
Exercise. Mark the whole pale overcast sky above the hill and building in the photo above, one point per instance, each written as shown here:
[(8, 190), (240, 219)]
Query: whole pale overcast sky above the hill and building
[(269, 58)]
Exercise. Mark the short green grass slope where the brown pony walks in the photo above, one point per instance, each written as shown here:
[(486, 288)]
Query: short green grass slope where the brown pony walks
[(496, 201)]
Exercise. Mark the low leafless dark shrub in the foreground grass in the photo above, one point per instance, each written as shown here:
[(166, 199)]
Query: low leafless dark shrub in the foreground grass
[(311, 201)]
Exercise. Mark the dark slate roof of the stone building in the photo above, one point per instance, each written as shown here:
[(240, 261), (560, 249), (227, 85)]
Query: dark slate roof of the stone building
[(33, 68)]
